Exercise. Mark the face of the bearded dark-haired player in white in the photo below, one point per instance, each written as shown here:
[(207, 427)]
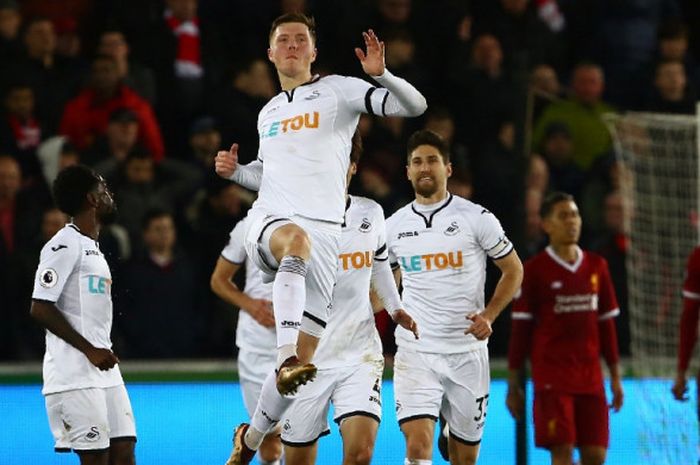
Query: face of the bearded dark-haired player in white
[(427, 171)]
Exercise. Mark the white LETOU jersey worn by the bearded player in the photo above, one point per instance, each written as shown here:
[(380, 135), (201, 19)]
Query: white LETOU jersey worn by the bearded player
[(442, 257)]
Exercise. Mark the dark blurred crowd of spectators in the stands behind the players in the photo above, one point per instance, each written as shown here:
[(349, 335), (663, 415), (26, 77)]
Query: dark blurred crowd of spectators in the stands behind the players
[(146, 92)]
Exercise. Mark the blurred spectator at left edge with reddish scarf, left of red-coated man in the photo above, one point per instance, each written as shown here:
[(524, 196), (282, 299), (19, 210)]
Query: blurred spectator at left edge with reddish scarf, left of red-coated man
[(20, 131)]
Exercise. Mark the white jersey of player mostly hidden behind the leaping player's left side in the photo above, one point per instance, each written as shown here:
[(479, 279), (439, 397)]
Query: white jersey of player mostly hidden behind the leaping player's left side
[(250, 335)]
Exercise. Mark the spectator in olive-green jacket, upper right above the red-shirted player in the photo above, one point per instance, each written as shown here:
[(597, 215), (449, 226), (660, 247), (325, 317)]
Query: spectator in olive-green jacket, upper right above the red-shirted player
[(582, 113)]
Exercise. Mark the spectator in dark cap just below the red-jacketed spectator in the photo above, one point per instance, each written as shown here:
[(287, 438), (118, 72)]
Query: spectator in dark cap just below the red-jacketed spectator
[(120, 138)]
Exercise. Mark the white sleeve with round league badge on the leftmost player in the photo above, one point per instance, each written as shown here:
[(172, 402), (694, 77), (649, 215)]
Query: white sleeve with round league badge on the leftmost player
[(57, 262)]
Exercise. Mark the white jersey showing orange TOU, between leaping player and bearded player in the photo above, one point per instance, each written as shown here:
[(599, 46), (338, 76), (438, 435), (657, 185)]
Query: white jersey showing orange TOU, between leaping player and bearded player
[(350, 336)]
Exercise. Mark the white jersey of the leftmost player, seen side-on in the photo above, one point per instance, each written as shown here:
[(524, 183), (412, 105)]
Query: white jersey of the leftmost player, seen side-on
[(74, 276)]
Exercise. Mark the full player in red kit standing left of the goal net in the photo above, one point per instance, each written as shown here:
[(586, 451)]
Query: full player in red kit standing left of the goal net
[(563, 320)]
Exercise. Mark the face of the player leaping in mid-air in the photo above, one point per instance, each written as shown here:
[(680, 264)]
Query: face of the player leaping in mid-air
[(292, 49)]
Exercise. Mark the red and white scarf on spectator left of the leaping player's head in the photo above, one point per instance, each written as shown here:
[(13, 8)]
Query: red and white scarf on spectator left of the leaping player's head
[(188, 60)]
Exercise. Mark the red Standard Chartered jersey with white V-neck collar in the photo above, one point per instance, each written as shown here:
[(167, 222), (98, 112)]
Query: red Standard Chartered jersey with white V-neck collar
[(566, 301)]
